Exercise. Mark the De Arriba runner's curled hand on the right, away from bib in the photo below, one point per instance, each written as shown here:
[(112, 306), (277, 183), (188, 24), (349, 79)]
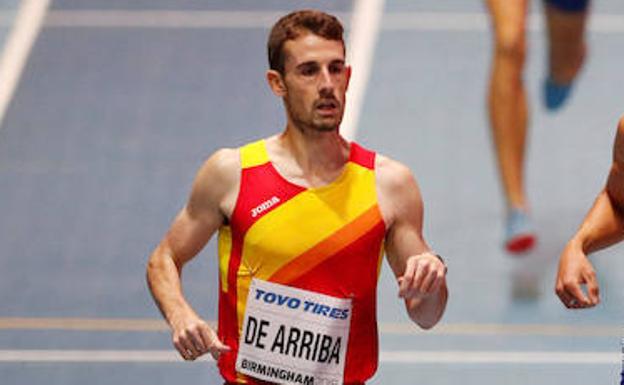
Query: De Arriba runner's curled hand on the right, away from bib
[(424, 275)]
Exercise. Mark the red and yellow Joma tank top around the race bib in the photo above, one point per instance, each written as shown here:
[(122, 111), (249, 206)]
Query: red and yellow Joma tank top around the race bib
[(328, 240)]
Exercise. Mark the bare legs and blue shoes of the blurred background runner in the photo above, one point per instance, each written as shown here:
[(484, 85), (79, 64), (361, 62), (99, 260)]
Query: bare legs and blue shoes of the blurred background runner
[(508, 112)]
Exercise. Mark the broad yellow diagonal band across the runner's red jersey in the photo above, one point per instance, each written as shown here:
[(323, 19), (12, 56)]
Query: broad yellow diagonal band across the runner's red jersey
[(301, 223)]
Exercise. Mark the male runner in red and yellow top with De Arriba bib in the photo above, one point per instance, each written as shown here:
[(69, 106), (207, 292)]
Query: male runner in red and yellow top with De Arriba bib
[(303, 219)]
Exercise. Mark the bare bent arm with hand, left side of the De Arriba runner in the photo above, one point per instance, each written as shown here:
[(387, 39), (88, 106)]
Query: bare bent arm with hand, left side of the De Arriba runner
[(204, 213)]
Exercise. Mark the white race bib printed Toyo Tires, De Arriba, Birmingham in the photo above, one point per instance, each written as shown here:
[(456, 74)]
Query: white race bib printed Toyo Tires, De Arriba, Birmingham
[(293, 336)]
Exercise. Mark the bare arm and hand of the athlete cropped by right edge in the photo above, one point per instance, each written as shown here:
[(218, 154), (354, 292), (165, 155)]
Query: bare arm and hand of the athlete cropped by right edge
[(602, 227)]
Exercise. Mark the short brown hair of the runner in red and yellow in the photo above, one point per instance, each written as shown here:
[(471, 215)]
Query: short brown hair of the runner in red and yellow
[(295, 24)]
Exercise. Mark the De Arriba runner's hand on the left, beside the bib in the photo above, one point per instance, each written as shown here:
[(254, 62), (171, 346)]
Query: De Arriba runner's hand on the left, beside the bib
[(193, 337)]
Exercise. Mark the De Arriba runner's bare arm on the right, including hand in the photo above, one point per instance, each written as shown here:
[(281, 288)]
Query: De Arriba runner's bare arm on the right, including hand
[(420, 274)]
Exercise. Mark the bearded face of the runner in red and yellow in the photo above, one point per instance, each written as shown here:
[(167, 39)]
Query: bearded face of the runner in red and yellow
[(316, 80)]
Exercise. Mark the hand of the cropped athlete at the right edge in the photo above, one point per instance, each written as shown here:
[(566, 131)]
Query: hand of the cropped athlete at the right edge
[(576, 270)]
